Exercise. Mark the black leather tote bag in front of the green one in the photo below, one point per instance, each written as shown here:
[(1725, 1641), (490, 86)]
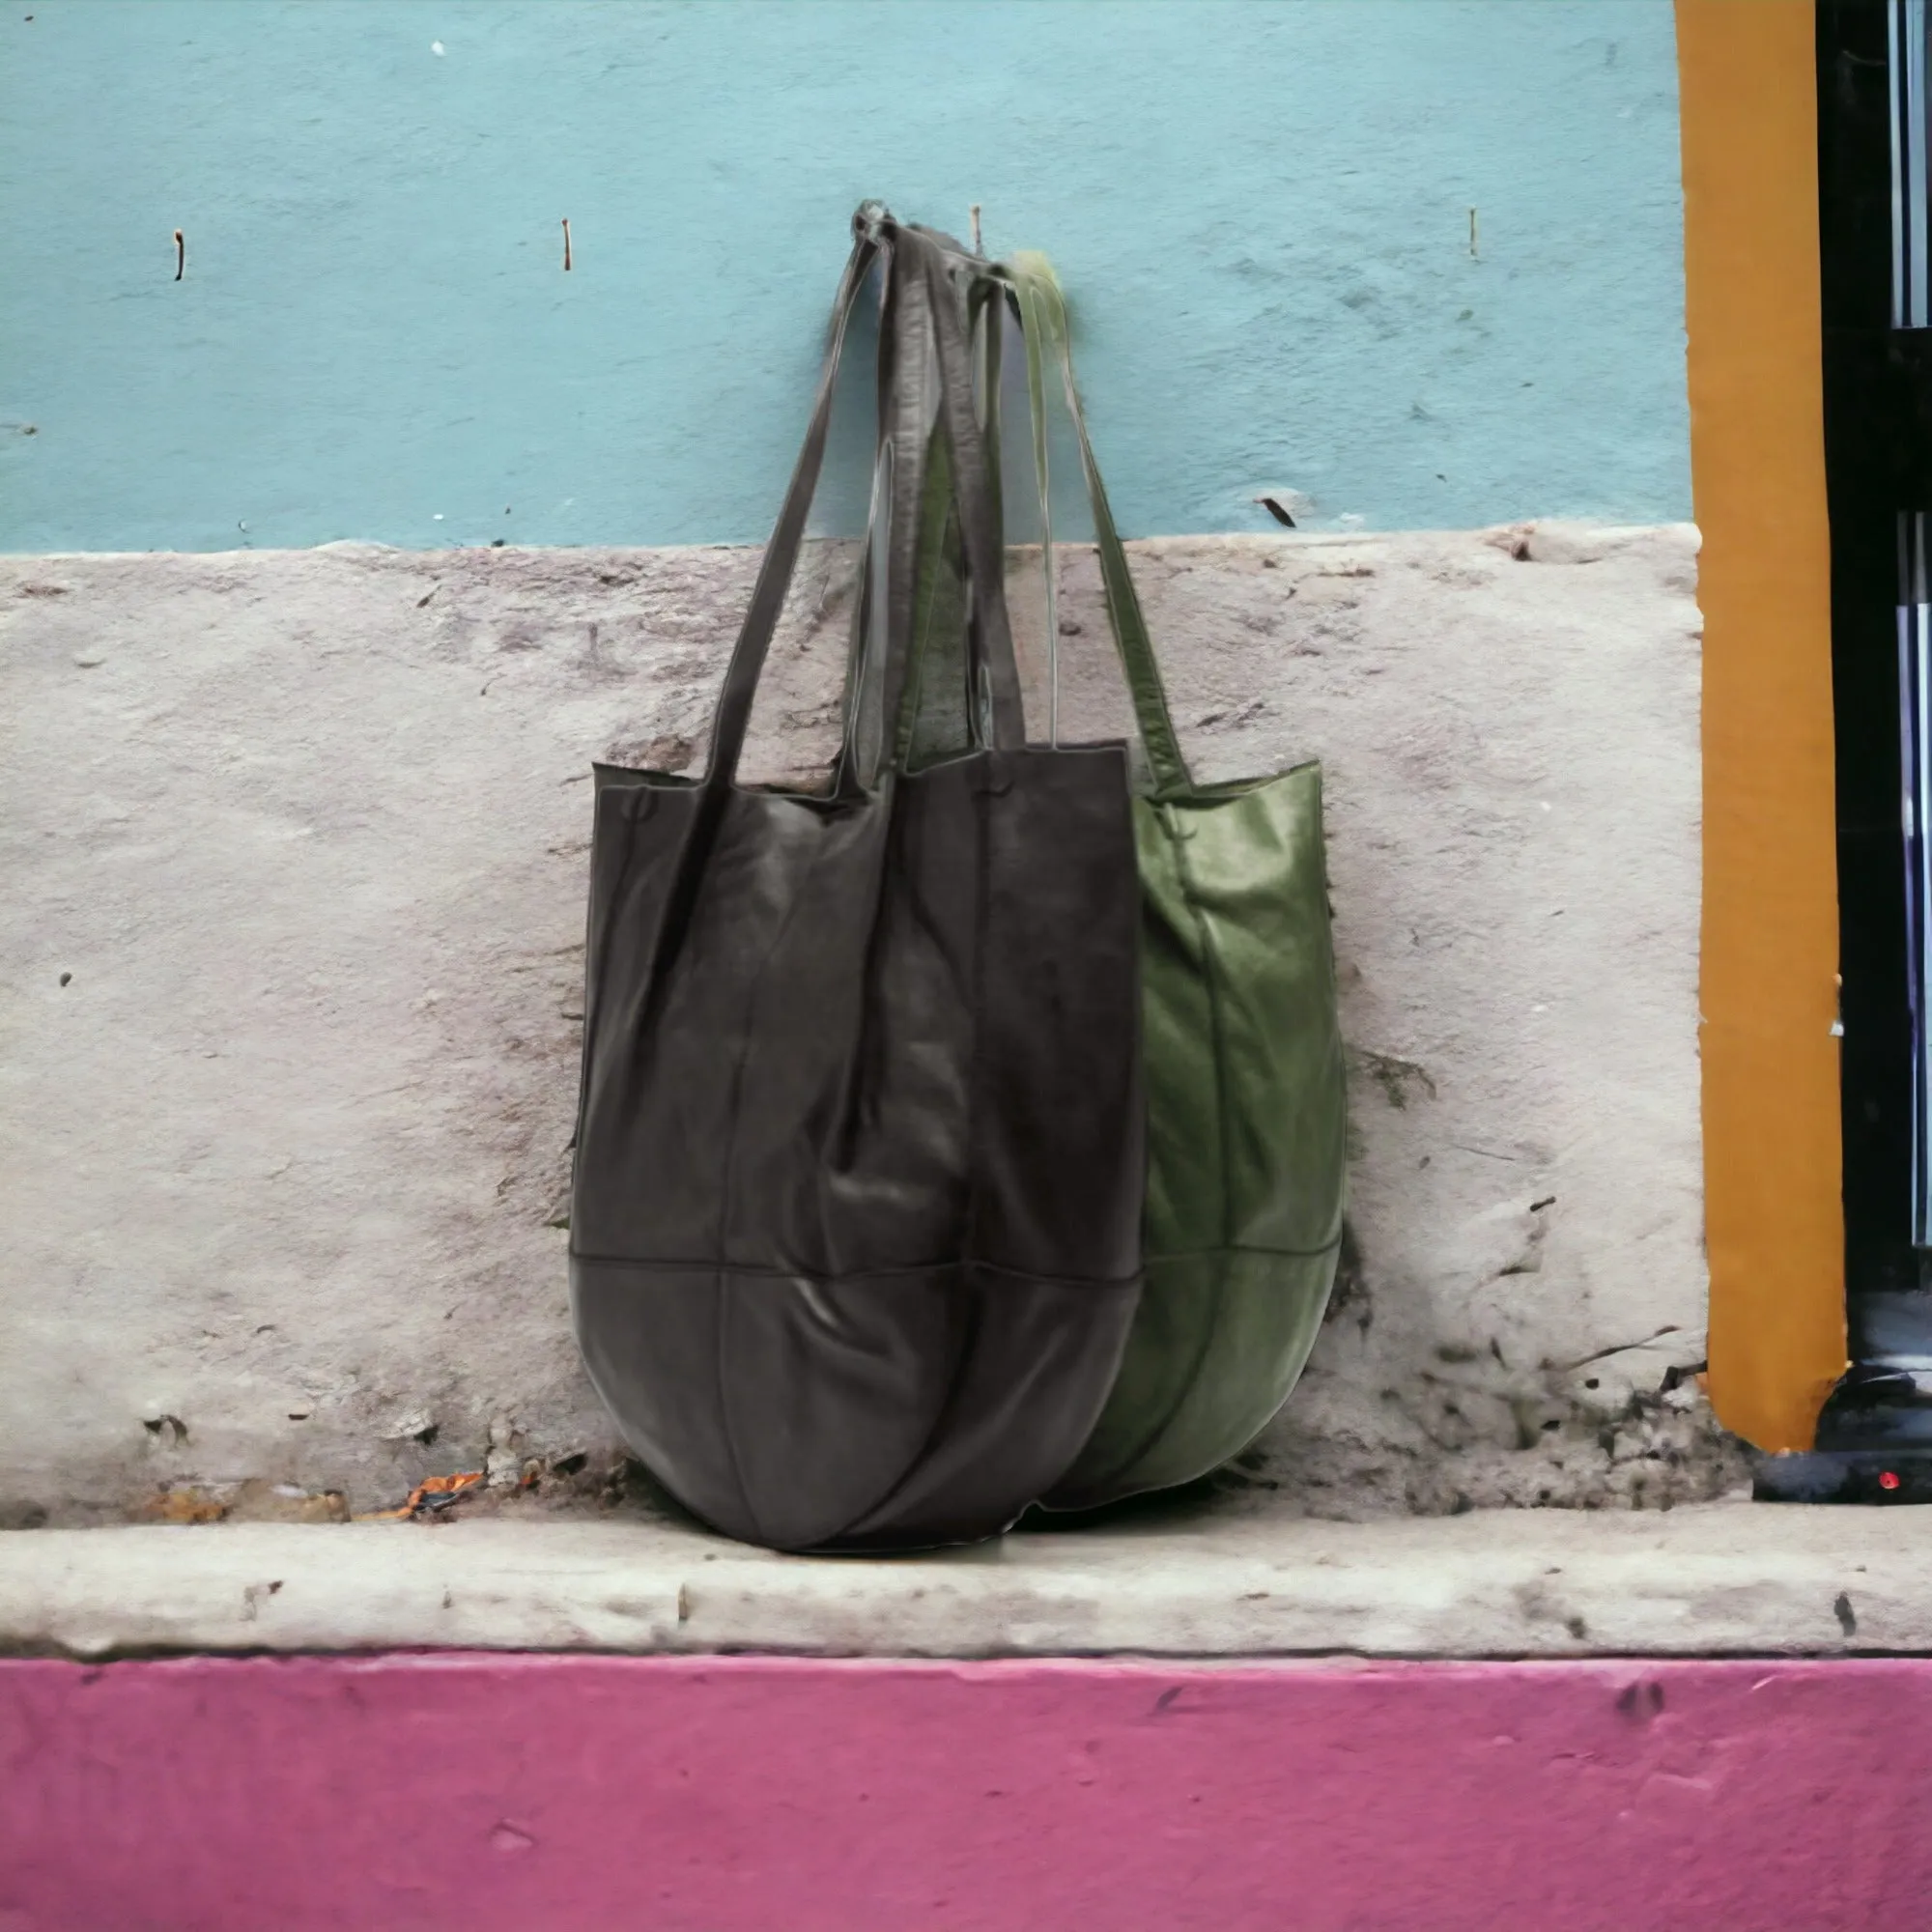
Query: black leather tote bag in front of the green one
[(855, 1230)]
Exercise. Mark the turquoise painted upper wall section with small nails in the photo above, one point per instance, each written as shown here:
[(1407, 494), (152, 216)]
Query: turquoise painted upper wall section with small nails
[(1261, 208)]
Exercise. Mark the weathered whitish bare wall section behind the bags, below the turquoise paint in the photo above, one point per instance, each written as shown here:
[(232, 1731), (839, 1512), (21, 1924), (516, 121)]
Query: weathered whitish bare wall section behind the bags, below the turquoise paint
[(293, 967)]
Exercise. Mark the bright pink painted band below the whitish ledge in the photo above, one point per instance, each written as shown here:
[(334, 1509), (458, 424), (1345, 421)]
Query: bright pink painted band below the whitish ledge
[(550, 1794)]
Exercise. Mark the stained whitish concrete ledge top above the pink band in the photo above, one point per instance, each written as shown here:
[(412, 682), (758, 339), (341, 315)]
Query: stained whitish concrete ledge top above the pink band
[(1531, 1583)]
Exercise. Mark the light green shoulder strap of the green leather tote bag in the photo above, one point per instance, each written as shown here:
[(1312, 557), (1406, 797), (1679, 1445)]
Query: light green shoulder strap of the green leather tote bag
[(1044, 324)]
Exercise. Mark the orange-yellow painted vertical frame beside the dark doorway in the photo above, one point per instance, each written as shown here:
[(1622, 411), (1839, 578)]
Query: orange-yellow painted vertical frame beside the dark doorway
[(1769, 977)]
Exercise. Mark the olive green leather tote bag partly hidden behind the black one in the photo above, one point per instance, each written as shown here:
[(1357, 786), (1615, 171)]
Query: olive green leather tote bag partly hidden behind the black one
[(1241, 1052)]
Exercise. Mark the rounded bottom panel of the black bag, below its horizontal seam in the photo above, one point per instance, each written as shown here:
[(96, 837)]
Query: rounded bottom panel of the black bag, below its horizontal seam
[(863, 1413)]
